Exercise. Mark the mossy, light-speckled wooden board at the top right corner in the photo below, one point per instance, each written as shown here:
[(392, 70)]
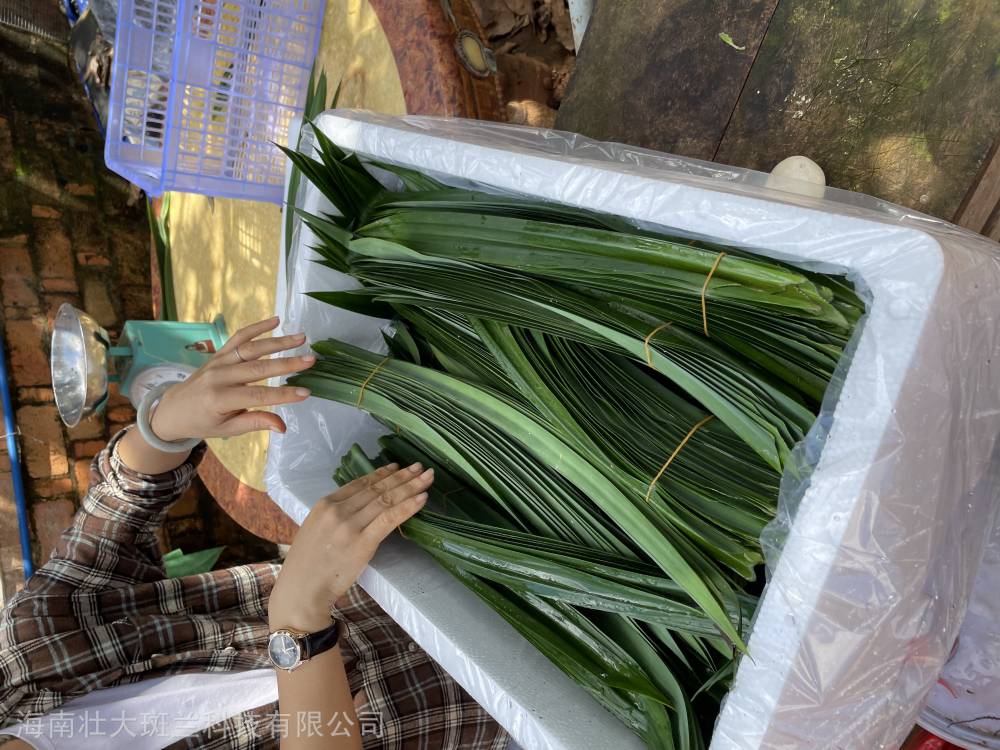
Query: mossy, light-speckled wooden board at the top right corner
[(893, 98)]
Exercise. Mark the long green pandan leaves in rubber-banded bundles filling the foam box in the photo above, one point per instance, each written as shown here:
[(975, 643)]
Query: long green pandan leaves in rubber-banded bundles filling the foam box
[(609, 411)]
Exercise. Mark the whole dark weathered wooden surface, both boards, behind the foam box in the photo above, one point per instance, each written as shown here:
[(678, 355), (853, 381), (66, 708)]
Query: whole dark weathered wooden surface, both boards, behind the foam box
[(895, 98)]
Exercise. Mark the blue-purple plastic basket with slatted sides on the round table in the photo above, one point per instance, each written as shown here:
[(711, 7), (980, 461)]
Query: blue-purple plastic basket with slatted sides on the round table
[(201, 90)]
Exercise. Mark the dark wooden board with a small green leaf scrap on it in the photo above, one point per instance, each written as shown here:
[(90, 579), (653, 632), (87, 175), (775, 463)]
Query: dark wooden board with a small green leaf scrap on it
[(655, 73)]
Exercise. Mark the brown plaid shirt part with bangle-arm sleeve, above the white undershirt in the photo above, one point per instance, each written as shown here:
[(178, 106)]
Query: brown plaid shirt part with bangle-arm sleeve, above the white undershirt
[(100, 612)]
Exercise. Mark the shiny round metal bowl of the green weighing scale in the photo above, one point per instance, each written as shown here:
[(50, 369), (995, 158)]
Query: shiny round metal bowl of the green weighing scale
[(79, 364)]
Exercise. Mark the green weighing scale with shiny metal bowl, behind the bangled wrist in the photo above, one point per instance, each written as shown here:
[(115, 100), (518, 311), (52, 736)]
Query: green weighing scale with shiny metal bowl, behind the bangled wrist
[(149, 353)]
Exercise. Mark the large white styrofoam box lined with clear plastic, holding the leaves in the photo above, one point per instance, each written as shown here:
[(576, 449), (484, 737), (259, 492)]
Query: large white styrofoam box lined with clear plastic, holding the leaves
[(870, 589)]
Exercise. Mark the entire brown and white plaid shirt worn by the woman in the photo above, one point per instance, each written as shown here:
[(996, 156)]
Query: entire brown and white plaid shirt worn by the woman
[(100, 613)]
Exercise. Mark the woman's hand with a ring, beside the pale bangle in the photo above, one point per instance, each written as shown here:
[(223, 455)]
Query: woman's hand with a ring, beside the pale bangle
[(218, 399)]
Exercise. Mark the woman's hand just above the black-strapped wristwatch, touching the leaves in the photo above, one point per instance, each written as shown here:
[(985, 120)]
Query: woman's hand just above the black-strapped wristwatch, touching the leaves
[(338, 539)]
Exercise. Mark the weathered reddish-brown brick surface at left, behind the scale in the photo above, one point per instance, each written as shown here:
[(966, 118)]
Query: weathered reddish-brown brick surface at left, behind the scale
[(70, 231)]
